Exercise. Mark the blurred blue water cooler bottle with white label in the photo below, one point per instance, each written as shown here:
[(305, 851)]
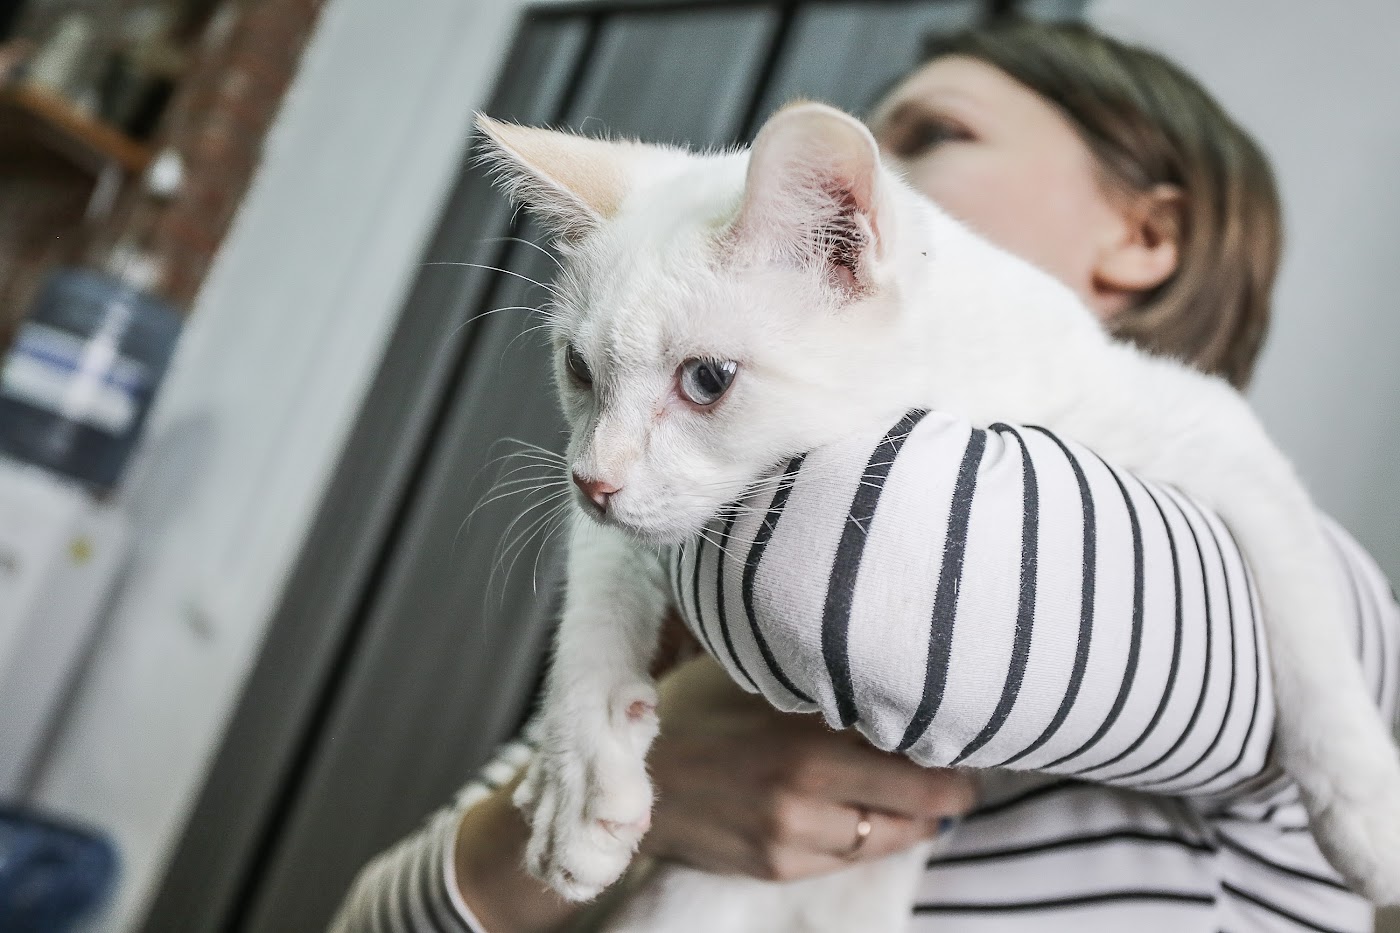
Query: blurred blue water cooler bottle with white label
[(83, 371)]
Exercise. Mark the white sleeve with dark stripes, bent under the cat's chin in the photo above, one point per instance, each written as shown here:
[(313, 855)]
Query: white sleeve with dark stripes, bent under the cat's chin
[(1000, 599)]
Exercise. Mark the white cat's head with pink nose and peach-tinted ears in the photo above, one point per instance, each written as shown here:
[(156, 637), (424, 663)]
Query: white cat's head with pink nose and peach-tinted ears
[(719, 312)]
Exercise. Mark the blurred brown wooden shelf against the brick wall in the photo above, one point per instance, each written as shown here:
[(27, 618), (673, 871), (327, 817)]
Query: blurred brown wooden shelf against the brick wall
[(33, 121)]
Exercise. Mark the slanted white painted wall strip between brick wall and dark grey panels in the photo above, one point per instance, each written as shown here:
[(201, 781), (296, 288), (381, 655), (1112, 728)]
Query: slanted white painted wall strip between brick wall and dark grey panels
[(267, 382)]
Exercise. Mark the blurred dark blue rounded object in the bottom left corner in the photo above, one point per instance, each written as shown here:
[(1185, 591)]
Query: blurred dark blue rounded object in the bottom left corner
[(52, 875)]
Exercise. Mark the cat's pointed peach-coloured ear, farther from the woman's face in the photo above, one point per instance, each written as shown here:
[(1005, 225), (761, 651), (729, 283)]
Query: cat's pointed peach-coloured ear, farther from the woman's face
[(572, 183)]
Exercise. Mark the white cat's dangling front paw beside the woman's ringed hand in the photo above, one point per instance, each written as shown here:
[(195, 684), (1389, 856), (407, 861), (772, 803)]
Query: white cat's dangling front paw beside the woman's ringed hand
[(587, 810)]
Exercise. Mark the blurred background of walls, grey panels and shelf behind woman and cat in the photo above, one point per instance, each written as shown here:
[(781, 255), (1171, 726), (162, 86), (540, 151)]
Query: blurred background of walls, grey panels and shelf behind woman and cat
[(250, 396)]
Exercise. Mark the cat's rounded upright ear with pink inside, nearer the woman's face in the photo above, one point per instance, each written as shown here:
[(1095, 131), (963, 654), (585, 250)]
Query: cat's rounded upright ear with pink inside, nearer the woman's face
[(815, 186)]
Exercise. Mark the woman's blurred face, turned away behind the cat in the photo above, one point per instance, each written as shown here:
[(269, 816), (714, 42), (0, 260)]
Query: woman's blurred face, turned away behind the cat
[(1004, 160)]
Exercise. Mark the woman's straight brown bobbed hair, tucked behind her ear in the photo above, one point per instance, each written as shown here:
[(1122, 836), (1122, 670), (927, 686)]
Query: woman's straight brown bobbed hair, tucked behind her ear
[(1151, 124)]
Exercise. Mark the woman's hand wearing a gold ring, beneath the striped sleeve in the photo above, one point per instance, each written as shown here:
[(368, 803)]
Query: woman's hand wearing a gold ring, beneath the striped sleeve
[(744, 789)]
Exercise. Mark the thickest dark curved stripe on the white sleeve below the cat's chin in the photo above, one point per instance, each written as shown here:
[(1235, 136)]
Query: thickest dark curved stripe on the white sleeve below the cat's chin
[(841, 589)]
